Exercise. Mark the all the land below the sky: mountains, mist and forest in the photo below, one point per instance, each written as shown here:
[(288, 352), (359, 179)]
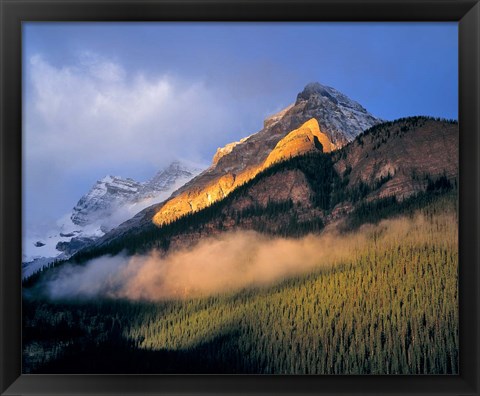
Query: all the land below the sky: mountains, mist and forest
[(324, 243)]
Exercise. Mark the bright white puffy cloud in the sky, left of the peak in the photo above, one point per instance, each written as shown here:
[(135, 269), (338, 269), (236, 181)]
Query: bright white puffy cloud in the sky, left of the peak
[(97, 110)]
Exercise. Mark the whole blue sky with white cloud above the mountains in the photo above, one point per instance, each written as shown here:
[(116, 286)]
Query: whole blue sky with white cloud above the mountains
[(128, 98)]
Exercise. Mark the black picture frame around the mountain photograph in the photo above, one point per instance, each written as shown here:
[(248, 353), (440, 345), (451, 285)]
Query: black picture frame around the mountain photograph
[(14, 12)]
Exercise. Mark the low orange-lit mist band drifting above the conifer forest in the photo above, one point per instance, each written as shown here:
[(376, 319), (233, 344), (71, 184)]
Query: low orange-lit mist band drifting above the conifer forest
[(227, 263)]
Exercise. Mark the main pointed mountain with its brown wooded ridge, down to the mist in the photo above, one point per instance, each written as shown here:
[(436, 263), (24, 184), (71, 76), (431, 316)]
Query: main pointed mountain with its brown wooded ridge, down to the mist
[(298, 175)]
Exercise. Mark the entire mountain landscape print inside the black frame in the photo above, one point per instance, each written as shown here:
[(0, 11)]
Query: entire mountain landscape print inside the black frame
[(240, 198)]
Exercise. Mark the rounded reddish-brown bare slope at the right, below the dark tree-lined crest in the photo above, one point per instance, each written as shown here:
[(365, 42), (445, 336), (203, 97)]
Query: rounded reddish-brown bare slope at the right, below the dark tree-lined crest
[(403, 152)]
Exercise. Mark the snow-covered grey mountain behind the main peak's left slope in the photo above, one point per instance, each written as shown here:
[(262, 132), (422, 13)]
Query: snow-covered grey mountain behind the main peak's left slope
[(111, 201)]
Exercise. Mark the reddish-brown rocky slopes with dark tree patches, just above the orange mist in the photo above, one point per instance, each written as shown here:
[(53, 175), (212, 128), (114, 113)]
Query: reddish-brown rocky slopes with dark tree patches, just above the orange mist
[(399, 160)]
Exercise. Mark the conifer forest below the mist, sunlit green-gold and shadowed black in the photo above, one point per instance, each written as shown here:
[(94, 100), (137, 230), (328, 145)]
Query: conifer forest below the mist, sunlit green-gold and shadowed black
[(388, 307)]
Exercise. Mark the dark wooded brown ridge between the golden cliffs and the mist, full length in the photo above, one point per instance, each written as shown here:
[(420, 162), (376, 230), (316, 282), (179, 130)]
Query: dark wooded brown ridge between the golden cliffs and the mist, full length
[(388, 167)]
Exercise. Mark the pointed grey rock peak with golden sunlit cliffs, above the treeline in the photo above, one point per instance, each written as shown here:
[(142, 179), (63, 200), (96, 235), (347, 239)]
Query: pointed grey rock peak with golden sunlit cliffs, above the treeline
[(319, 112)]
